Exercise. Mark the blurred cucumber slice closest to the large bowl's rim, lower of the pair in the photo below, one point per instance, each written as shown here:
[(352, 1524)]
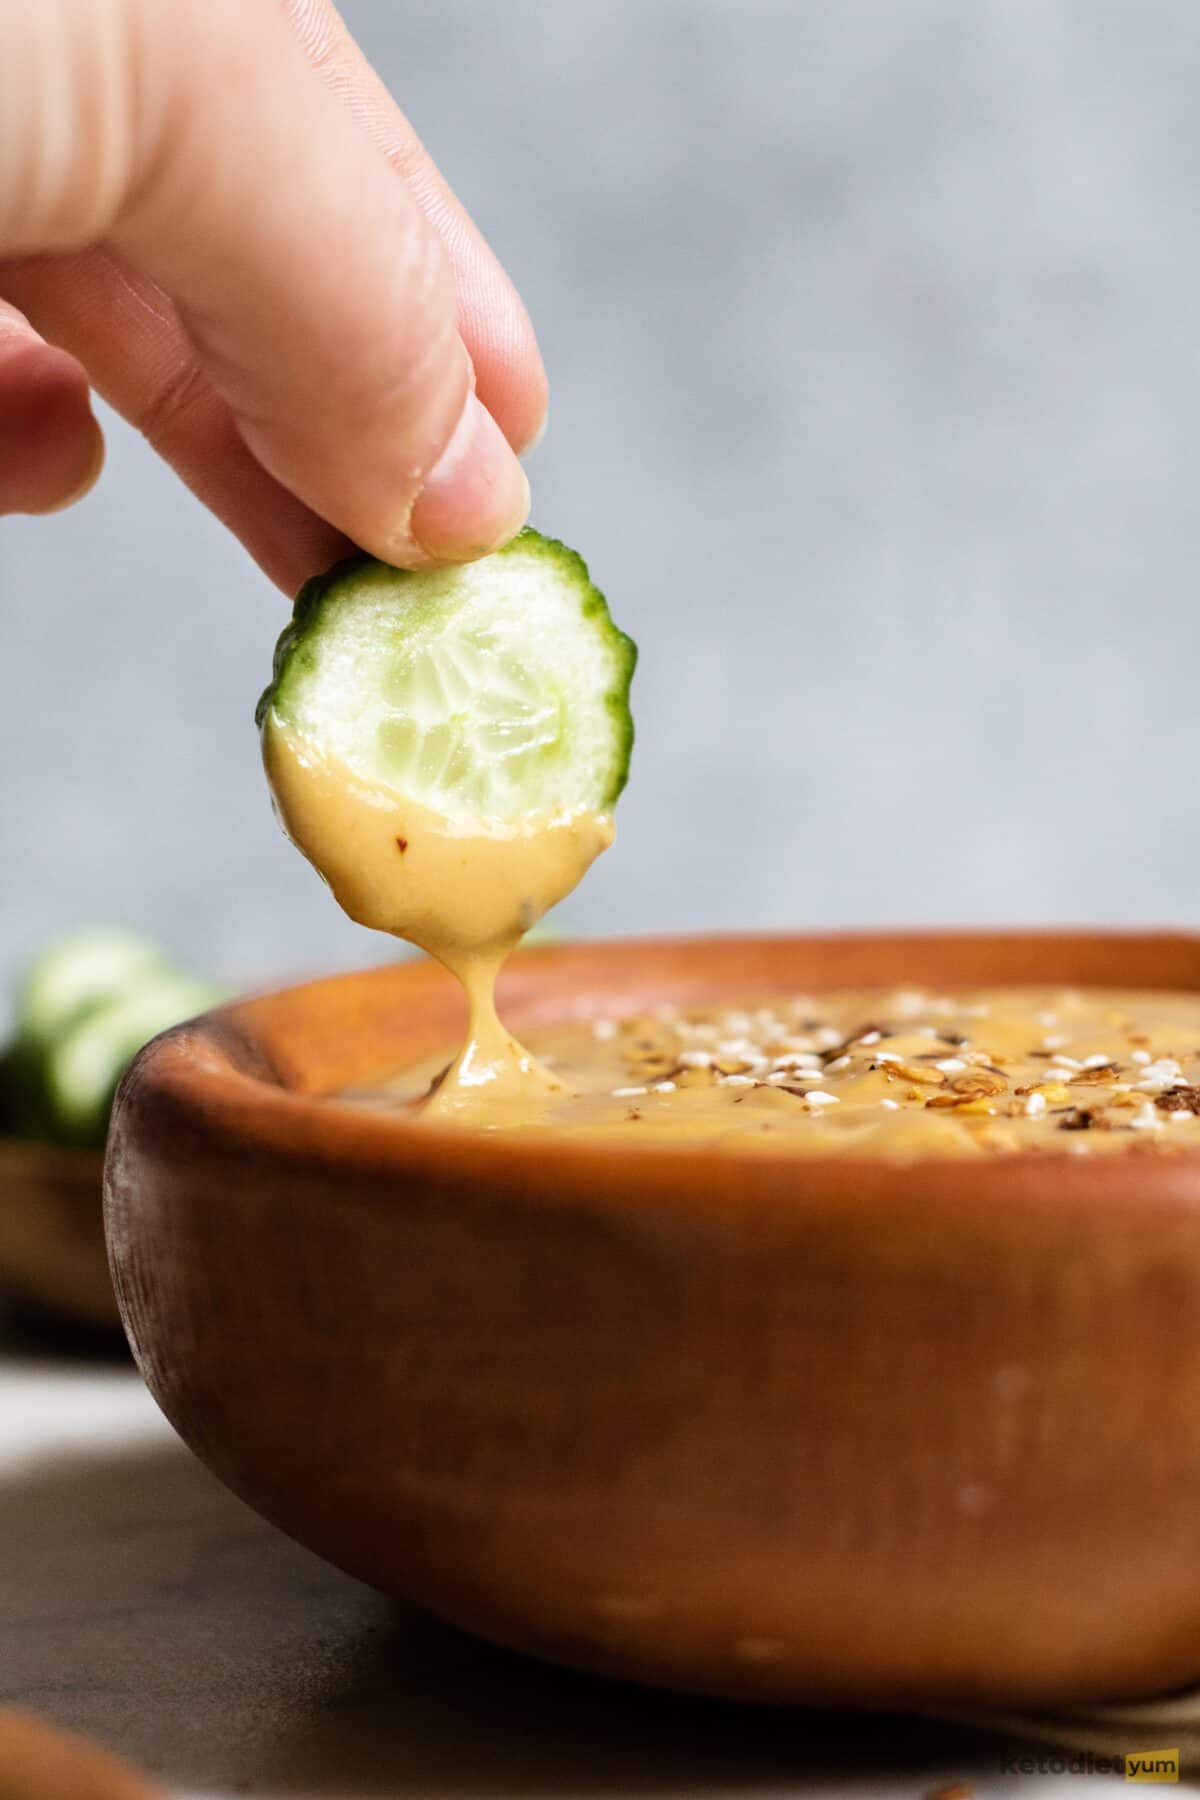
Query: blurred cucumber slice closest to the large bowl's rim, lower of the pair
[(82, 1070)]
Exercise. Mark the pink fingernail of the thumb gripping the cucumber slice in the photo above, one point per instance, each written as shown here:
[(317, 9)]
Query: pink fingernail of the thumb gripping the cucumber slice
[(476, 498)]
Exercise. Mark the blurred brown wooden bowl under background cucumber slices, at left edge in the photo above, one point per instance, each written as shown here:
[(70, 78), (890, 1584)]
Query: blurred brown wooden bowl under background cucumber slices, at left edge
[(51, 1230)]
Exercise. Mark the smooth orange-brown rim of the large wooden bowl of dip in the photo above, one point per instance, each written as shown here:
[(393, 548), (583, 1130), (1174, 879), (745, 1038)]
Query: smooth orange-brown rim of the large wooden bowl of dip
[(195, 1072)]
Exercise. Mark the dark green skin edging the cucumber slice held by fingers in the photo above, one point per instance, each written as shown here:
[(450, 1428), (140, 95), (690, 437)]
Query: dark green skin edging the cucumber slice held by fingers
[(303, 645)]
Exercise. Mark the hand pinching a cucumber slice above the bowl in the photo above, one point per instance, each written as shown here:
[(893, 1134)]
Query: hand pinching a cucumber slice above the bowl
[(213, 211)]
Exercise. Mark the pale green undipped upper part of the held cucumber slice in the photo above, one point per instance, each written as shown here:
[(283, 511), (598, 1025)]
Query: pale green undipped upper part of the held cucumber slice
[(492, 694)]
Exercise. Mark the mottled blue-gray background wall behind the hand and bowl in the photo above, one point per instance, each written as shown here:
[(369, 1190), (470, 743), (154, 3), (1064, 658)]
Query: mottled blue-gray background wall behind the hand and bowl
[(873, 343)]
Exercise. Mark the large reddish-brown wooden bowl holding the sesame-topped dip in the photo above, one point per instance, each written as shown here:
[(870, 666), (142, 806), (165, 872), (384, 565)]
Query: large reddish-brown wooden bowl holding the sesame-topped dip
[(821, 1430)]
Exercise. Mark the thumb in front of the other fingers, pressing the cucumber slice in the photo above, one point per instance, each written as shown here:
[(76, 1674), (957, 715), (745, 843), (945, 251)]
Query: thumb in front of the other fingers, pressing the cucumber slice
[(201, 141)]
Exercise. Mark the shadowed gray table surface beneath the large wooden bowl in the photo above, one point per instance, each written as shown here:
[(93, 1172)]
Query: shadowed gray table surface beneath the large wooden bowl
[(145, 1605)]
